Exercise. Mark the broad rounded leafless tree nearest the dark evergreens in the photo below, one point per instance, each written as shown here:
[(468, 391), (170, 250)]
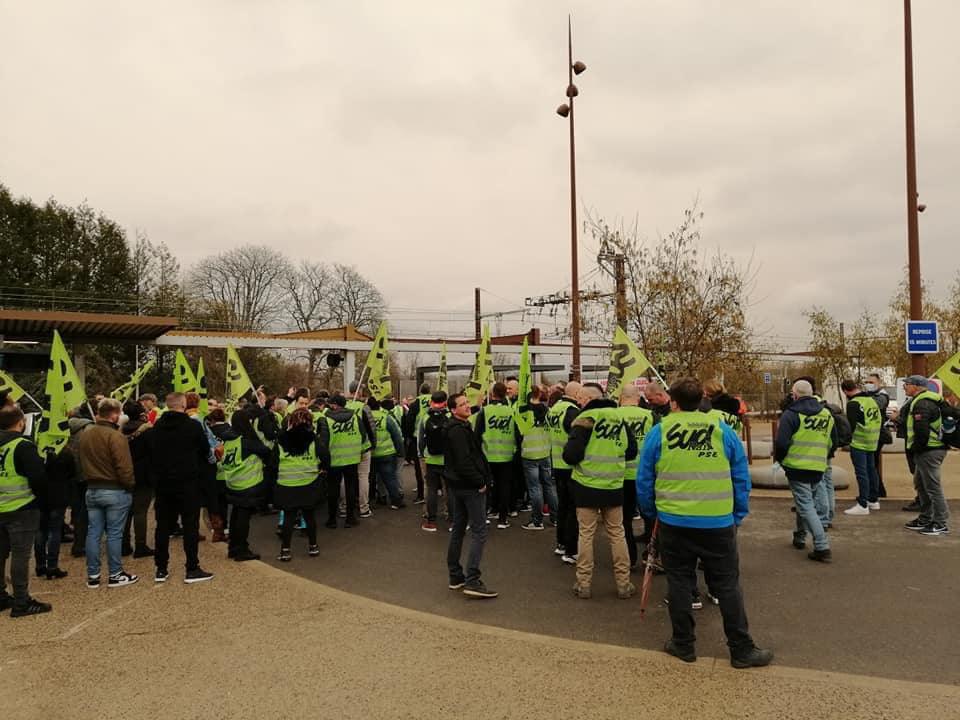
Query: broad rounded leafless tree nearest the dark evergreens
[(247, 282)]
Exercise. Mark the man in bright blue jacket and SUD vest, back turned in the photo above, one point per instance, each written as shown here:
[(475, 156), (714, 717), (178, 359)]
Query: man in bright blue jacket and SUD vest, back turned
[(693, 474)]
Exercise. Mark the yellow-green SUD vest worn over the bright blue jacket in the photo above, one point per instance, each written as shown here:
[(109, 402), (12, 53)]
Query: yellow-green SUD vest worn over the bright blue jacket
[(693, 473)]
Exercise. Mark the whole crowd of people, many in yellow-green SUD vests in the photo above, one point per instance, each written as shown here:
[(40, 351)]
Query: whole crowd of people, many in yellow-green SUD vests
[(575, 460)]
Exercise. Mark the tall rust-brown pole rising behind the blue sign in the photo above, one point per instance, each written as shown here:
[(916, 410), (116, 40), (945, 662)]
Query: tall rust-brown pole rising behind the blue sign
[(918, 362)]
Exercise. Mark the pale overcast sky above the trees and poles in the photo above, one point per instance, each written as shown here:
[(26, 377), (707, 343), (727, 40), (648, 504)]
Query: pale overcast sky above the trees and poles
[(418, 140)]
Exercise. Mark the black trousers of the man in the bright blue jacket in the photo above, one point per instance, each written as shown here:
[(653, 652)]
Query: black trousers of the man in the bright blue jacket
[(680, 549)]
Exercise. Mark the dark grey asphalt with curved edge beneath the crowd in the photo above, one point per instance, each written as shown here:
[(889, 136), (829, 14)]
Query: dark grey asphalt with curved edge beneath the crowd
[(885, 607)]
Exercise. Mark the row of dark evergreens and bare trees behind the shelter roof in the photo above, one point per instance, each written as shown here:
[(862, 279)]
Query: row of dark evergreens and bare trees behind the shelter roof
[(77, 259)]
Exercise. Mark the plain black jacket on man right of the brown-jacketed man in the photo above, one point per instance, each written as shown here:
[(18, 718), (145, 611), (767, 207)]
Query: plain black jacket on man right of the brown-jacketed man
[(176, 448)]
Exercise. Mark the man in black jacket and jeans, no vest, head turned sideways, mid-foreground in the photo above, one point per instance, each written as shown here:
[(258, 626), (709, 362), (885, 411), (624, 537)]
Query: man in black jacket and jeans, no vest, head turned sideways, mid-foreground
[(468, 477)]
